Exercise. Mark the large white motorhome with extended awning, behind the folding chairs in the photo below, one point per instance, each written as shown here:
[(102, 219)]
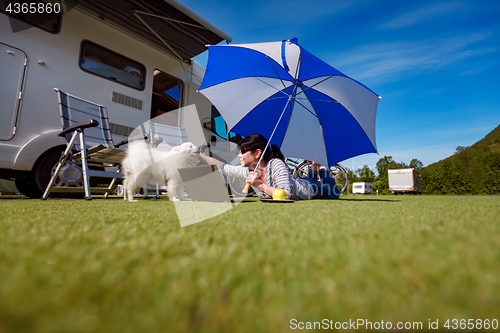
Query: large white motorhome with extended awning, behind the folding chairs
[(133, 56)]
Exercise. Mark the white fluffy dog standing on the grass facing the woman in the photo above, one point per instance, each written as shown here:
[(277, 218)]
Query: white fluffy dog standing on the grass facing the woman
[(144, 164)]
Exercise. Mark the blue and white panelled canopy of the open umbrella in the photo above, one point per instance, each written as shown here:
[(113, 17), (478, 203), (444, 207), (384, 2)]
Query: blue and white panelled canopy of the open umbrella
[(298, 102)]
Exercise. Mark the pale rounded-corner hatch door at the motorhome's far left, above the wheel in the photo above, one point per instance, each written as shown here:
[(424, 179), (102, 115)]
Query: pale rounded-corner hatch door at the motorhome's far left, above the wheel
[(13, 63)]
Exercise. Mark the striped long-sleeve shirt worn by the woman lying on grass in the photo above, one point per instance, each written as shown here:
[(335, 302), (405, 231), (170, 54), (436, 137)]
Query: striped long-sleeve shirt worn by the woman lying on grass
[(277, 176)]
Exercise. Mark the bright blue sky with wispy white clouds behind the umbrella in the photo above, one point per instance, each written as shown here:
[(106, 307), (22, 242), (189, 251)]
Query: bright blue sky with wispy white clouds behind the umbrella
[(435, 63)]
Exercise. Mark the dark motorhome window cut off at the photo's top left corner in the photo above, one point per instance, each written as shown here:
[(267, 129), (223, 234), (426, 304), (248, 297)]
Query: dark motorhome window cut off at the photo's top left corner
[(47, 16)]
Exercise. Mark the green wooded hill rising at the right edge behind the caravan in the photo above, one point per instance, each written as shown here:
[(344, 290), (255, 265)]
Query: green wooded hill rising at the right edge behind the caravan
[(470, 170)]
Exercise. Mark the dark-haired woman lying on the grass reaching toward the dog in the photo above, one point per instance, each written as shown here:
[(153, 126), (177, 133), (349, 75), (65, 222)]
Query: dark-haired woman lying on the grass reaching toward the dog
[(273, 173)]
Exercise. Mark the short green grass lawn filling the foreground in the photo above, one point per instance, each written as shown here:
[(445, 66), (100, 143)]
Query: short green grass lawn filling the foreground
[(112, 266)]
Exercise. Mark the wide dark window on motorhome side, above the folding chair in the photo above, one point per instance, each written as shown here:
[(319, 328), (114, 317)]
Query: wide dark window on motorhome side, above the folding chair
[(110, 65)]
